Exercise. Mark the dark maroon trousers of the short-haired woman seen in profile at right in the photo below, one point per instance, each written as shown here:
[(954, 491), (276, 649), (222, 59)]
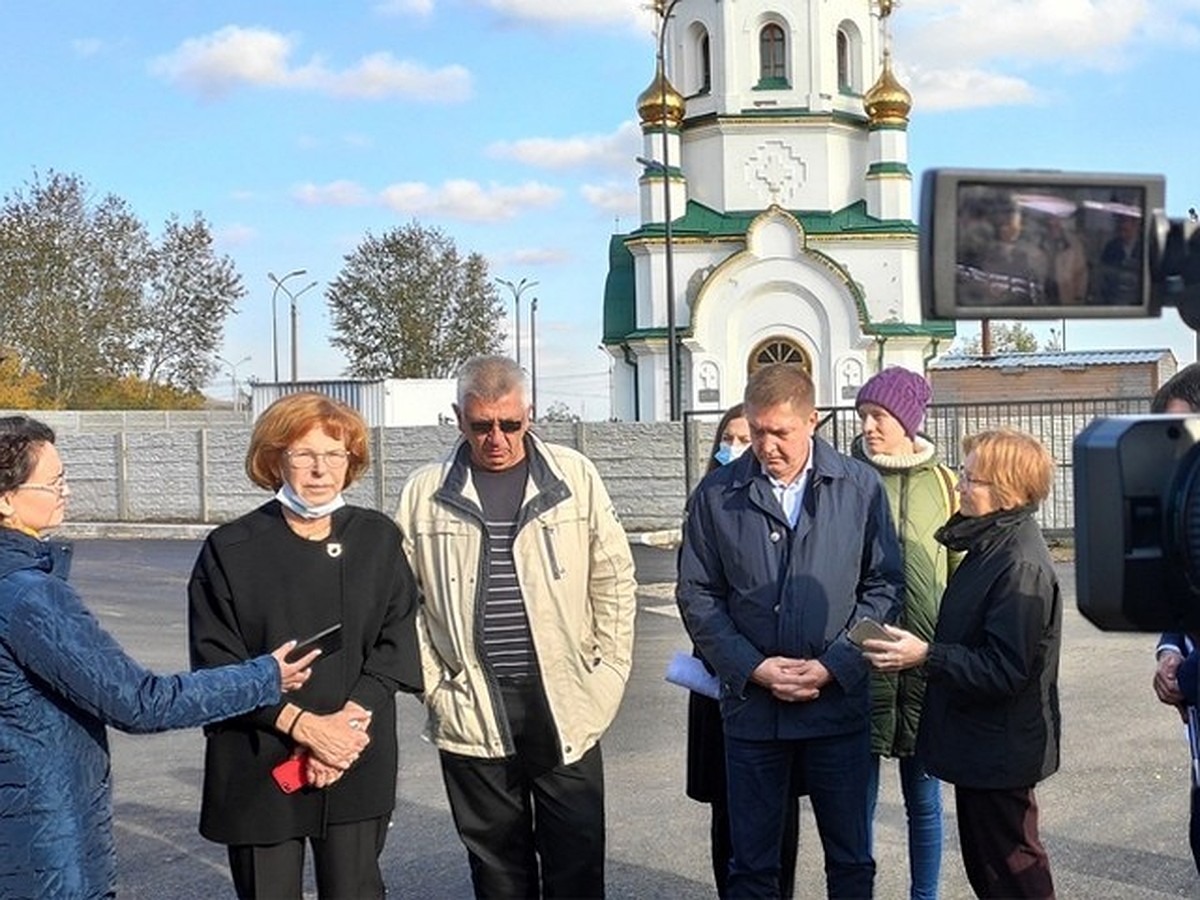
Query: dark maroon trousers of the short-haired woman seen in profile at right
[(1001, 850)]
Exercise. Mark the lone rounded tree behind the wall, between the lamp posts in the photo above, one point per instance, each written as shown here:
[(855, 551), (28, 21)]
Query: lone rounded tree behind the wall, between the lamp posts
[(407, 305)]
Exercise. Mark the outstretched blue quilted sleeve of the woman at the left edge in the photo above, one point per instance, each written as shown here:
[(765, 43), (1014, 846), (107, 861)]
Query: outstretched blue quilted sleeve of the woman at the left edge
[(53, 635)]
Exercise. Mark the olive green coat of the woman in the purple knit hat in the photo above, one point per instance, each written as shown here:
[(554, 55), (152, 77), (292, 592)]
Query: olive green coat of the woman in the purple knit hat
[(921, 494)]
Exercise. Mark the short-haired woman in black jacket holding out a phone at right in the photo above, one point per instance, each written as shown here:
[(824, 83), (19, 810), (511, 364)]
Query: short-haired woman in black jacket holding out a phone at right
[(992, 722)]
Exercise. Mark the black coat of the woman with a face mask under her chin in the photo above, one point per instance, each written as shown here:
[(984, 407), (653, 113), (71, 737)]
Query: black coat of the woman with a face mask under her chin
[(257, 585)]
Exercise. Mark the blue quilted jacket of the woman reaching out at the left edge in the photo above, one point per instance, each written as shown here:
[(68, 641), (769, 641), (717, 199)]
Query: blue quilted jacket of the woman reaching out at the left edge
[(63, 679)]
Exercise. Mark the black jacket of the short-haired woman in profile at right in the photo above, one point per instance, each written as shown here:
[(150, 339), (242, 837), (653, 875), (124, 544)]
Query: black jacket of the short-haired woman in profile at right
[(992, 718)]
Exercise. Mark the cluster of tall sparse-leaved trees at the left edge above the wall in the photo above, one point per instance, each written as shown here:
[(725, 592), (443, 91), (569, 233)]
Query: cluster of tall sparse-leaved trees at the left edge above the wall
[(94, 307)]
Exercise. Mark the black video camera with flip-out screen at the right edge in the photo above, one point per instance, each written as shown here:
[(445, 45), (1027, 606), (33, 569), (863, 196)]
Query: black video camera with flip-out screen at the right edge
[(1053, 245)]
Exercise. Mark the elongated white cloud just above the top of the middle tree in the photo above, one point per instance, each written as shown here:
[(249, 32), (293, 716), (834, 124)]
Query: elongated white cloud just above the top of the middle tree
[(469, 201)]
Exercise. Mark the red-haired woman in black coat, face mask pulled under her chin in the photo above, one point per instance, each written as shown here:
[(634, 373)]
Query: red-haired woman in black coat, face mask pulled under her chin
[(297, 566)]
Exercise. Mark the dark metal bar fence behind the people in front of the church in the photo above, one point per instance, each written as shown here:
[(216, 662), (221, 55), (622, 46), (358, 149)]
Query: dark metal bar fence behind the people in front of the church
[(1055, 423)]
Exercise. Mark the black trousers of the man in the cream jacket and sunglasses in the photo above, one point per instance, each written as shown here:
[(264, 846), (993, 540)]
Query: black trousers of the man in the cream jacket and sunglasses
[(530, 812)]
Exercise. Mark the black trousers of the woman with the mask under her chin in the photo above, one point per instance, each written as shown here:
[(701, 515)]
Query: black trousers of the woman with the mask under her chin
[(346, 863)]
